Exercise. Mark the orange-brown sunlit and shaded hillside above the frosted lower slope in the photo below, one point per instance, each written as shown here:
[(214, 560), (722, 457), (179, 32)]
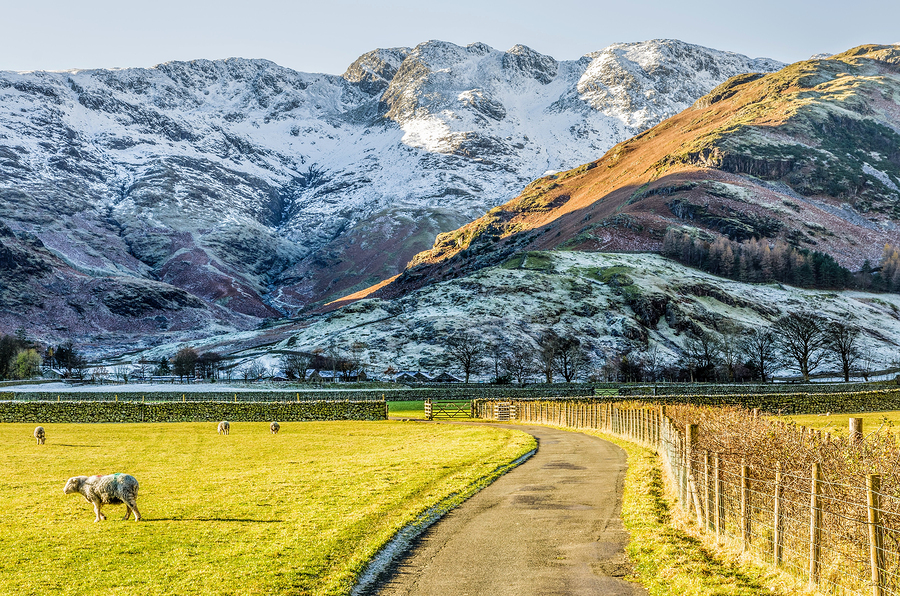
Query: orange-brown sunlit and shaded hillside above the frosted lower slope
[(809, 155)]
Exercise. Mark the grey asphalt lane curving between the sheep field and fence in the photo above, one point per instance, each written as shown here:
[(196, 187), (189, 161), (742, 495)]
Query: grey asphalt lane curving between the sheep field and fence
[(551, 526)]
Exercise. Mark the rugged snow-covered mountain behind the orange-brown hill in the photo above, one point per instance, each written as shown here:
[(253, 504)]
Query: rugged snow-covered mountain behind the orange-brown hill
[(260, 190)]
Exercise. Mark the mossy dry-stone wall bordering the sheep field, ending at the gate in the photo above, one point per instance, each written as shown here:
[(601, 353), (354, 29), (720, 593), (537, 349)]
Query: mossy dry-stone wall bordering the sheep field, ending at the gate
[(111, 411)]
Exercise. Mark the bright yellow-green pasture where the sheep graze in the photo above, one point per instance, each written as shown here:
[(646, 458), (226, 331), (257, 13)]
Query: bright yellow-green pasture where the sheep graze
[(250, 513)]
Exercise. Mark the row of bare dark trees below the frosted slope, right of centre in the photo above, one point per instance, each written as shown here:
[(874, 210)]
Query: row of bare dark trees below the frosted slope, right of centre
[(801, 341)]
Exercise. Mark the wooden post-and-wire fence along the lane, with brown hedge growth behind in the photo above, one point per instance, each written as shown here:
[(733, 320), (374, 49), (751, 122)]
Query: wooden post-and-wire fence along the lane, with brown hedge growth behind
[(839, 534)]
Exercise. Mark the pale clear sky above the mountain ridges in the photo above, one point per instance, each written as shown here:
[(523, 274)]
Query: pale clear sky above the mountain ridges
[(328, 35)]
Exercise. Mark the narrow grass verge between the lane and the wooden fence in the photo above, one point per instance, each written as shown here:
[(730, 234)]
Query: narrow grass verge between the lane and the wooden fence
[(670, 557)]
